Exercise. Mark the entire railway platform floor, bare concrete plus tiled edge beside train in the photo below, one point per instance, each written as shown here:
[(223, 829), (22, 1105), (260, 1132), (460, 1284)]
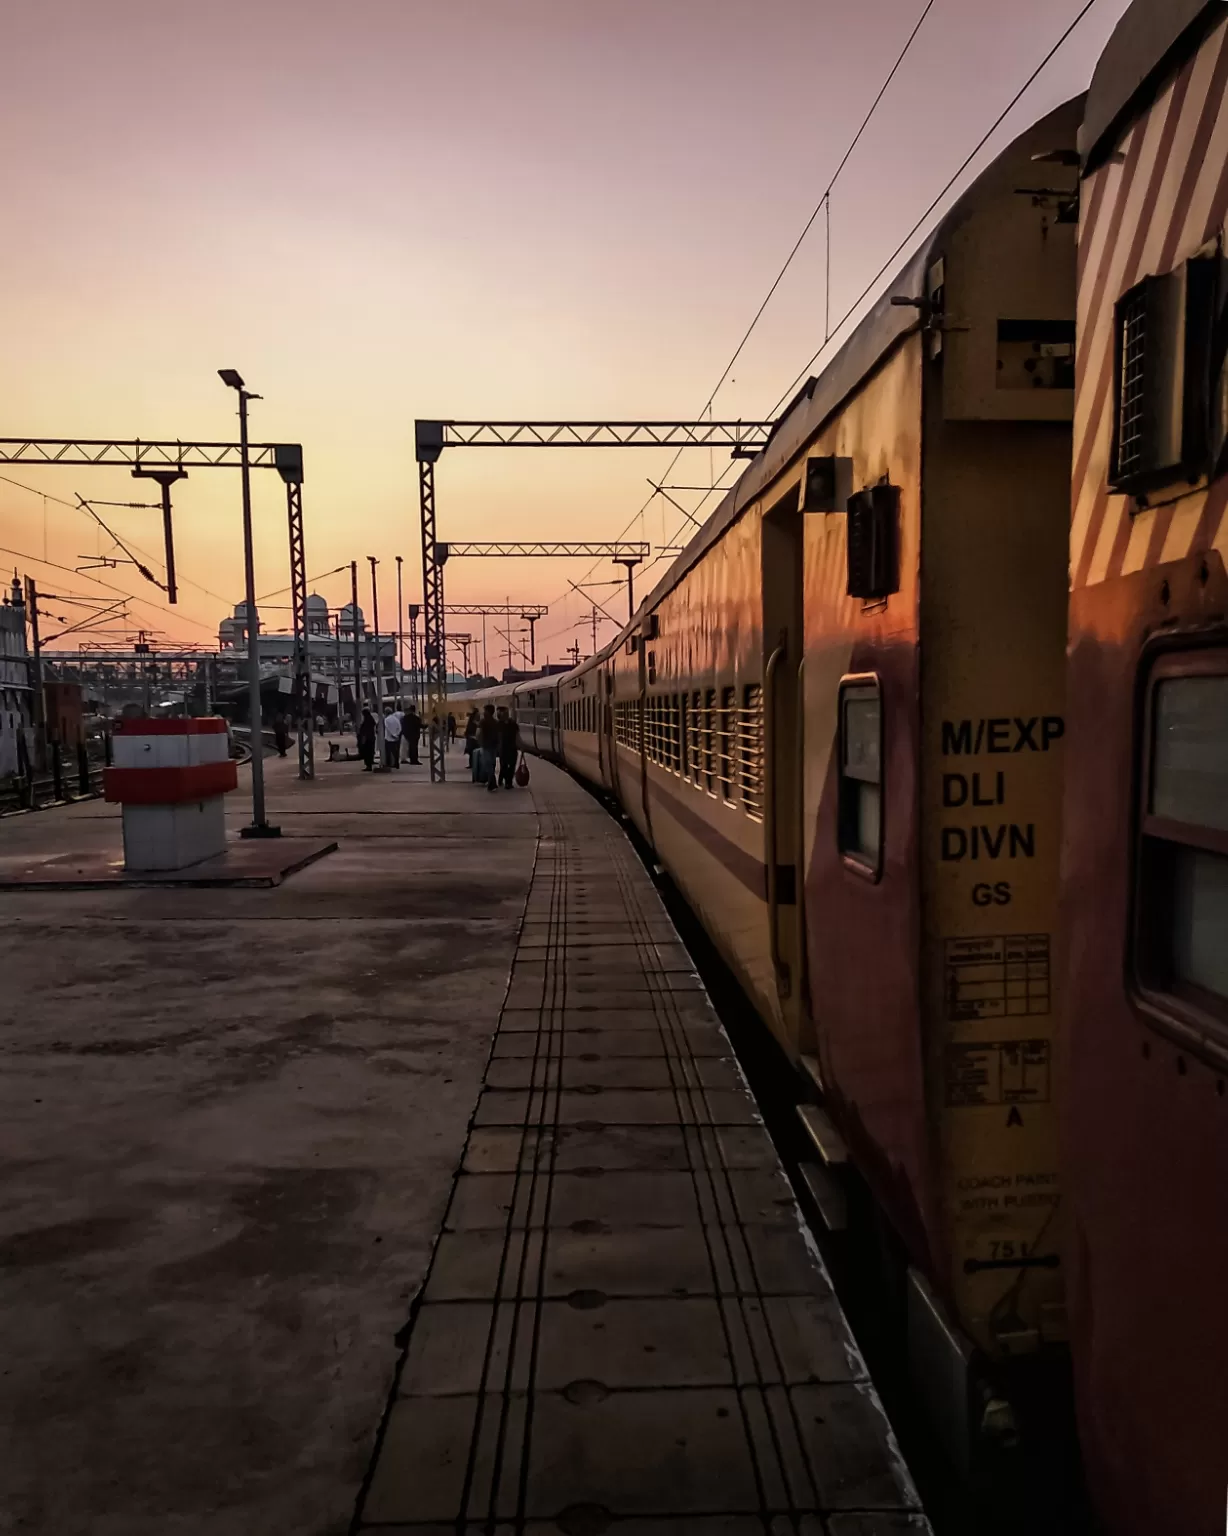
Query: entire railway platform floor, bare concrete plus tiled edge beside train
[(416, 1194)]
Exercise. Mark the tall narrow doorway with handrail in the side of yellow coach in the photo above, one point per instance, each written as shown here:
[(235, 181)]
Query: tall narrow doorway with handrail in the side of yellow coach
[(785, 747)]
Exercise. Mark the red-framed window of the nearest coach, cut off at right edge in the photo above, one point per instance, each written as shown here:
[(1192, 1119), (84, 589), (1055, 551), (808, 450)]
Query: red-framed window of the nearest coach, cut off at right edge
[(1183, 896)]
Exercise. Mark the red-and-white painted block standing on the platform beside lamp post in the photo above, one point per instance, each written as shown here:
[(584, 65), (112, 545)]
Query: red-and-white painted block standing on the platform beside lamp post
[(171, 780)]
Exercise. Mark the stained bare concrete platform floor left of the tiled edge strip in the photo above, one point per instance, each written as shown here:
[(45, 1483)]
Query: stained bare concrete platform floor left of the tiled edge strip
[(230, 1122)]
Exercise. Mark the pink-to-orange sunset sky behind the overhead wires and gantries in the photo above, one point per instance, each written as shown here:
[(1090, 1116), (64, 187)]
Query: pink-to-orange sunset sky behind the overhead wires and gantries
[(387, 210)]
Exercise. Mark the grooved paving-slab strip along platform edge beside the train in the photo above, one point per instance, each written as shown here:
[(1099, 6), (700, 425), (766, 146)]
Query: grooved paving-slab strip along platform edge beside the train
[(625, 1326)]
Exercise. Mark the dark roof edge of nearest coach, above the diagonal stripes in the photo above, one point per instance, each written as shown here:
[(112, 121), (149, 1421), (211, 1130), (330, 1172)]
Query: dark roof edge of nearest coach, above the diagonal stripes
[(1146, 48)]
